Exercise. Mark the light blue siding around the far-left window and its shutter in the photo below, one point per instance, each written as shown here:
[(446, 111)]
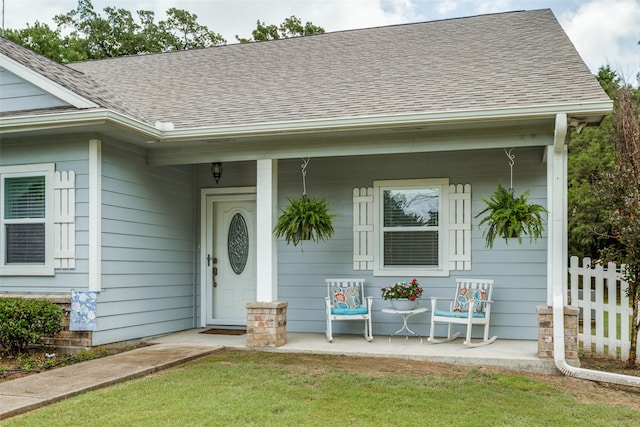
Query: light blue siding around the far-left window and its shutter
[(69, 153)]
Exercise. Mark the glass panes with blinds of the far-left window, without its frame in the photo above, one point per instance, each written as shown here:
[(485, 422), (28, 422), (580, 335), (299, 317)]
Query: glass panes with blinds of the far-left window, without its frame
[(24, 219)]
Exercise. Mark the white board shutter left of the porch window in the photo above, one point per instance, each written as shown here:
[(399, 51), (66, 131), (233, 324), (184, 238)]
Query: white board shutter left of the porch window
[(363, 228)]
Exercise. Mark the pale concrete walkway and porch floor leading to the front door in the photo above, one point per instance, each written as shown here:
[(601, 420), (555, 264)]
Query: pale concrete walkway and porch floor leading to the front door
[(27, 393)]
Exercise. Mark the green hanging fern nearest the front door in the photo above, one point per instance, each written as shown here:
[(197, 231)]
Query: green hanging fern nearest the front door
[(305, 219)]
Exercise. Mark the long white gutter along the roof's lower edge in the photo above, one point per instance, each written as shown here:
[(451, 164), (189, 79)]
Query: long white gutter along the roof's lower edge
[(165, 132)]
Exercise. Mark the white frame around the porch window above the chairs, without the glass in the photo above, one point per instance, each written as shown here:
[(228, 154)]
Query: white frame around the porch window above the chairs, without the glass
[(443, 228)]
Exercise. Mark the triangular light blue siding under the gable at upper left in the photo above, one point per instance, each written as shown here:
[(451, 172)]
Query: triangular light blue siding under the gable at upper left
[(16, 94)]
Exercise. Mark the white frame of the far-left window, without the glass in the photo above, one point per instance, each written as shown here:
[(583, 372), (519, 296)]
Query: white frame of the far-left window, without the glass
[(47, 268)]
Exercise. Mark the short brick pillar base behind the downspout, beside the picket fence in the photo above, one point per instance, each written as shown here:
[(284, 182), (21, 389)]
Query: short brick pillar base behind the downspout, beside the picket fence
[(545, 333)]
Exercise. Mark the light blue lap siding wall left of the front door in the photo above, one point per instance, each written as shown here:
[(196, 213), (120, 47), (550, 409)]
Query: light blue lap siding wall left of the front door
[(147, 247)]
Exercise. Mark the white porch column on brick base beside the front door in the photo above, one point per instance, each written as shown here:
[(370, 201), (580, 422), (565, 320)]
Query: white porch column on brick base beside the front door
[(267, 212)]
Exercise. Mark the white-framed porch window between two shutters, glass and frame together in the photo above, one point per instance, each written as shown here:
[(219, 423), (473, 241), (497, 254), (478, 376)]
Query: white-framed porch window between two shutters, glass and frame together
[(411, 226)]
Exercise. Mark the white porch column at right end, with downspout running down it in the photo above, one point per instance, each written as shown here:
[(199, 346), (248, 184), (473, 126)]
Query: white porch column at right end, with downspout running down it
[(557, 227)]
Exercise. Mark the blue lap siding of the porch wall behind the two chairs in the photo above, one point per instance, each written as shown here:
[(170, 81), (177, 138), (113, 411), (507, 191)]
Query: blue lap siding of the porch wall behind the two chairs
[(519, 271)]
